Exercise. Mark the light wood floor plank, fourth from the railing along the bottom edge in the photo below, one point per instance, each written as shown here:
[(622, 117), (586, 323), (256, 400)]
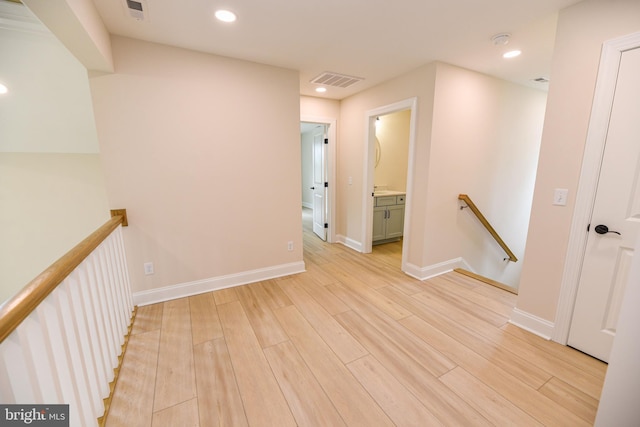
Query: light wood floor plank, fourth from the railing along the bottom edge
[(263, 400)]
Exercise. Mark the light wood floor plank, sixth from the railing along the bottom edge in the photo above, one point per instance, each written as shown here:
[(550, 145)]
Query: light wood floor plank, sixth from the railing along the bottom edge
[(352, 401)]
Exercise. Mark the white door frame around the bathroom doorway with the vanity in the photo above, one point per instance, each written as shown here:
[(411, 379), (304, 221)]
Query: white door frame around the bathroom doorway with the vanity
[(369, 167)]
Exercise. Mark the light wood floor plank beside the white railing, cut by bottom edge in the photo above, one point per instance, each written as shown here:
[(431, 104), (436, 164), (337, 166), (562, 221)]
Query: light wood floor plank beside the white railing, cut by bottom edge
[(132, 403)]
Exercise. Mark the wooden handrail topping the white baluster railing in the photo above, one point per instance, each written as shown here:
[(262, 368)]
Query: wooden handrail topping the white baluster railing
[(16, 309)]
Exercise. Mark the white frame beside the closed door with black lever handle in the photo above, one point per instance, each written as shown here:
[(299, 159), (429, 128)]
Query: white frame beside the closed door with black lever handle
[(585, 195)]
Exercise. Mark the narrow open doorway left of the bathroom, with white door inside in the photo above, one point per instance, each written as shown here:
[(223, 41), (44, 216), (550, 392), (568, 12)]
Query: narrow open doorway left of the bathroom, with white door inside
[(317, 138)]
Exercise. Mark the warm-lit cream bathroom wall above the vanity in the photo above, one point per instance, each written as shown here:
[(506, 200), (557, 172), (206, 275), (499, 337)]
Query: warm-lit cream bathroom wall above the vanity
[(392, 131)]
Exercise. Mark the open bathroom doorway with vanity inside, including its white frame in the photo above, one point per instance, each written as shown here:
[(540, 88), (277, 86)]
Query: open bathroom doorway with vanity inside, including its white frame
[(389, 202)]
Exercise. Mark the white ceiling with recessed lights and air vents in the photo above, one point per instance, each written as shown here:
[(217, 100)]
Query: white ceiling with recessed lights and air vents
[(373, 39)]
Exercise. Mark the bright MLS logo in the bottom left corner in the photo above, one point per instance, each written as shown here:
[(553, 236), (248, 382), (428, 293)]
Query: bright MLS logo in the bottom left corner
[(34, 415)]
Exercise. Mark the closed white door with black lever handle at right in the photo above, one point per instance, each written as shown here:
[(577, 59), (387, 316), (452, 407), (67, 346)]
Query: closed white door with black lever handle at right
[(615, 221)]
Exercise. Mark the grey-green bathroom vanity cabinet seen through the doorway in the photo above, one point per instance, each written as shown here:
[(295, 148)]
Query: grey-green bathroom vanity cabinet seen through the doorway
[(388, 218)]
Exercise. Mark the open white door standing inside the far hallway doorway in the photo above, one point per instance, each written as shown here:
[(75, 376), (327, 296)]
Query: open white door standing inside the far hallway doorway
[(319, 189)]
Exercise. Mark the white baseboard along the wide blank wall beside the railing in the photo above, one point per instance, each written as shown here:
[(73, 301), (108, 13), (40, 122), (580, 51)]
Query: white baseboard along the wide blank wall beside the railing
[(182, 290)]
